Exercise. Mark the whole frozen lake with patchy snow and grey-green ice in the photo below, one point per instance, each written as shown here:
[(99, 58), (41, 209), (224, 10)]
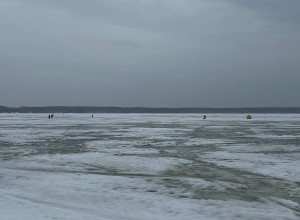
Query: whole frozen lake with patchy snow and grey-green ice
[(149, 166)]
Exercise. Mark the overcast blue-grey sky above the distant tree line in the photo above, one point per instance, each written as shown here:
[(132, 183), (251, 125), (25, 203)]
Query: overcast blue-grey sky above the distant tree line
[(151, 53)]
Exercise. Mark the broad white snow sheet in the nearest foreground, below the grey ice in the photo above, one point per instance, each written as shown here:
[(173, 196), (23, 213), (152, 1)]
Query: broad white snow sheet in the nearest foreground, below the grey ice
[(42, 195)]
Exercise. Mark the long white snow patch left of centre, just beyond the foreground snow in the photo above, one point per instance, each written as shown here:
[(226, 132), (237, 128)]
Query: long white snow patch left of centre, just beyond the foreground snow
[(106, 162)]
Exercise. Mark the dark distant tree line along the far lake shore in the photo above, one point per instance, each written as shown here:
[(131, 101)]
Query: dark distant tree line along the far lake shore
[(85, 109)]
